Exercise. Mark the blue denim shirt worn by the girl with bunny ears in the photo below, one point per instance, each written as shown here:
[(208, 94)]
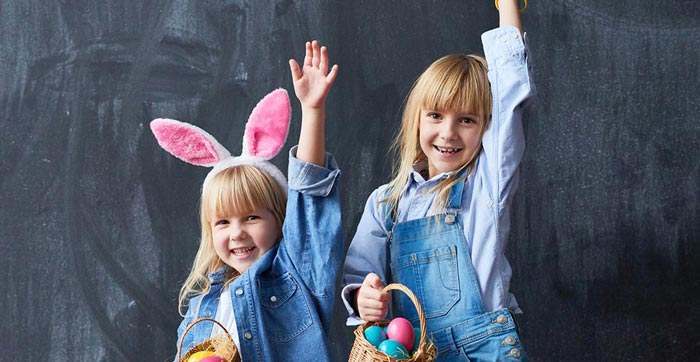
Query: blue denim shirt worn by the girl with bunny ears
[(283, 303)]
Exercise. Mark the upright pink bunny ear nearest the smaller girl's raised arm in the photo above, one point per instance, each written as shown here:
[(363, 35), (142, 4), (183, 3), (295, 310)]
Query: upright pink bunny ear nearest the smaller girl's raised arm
[(268, 126)]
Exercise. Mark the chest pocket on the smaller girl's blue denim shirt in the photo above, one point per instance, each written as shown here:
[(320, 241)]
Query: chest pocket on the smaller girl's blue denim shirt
[(286, 313)]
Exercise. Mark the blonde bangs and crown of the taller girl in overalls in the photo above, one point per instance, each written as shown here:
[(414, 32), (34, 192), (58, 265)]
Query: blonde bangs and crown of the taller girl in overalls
[(457, 83)]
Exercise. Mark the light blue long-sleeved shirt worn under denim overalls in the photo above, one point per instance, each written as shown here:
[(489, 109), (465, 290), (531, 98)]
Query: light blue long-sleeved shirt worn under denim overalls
[(487, 193)]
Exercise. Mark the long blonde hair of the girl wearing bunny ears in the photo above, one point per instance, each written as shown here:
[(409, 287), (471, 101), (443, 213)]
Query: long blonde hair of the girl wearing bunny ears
[(235, 190)]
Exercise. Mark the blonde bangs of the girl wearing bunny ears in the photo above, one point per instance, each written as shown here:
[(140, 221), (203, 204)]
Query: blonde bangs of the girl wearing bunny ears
[(240, 190)]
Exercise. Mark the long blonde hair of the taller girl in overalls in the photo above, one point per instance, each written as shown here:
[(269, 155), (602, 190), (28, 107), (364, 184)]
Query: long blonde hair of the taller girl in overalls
[(454, 82)]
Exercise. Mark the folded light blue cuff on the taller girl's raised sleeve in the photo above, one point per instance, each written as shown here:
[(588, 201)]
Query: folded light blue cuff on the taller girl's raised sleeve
[(504, 46)]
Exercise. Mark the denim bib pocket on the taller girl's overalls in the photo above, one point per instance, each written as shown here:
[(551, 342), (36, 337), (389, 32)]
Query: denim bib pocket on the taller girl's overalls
[(432, 276)]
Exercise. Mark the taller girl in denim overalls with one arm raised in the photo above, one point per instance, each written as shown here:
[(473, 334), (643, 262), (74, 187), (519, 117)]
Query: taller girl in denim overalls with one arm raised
[(440, 226)]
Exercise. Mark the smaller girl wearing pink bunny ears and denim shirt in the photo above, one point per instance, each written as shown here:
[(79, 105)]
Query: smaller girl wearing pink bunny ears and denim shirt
[(265, 270)]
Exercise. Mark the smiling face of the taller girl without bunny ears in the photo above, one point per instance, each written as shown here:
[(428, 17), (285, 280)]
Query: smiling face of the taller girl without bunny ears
[(448, 139)]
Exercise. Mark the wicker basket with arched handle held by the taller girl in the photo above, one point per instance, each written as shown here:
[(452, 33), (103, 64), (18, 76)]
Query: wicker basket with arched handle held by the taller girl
[(363, 351)]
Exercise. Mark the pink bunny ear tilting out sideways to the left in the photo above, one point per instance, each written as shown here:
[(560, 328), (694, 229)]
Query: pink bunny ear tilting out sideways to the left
[(187, 142)]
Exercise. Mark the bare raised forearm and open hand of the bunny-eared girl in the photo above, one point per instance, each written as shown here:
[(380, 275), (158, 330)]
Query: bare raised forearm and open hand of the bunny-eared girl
[(312, 82)]
